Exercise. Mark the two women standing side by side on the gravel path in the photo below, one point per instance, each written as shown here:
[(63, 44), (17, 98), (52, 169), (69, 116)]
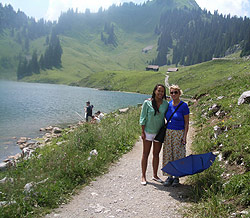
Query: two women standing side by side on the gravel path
[(153, 115)]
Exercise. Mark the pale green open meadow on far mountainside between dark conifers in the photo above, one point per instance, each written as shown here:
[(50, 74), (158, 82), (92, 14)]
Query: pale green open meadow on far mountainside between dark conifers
[(82, 57)]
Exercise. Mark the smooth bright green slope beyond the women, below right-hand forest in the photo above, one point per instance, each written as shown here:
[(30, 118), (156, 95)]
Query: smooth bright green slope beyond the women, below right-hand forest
[(193, 79)]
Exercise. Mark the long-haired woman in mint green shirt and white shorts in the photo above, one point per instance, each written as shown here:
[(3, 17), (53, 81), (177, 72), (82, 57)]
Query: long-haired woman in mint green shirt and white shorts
[(151, 120)]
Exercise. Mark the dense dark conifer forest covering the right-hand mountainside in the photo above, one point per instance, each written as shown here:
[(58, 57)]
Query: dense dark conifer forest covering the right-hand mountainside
[(188, 37)]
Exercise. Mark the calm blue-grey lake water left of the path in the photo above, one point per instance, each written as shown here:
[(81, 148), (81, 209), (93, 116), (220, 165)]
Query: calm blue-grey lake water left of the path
[(26, 107)]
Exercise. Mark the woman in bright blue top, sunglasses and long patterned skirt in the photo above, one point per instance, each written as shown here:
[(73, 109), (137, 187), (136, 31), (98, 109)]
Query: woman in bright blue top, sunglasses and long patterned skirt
[(176, 135)]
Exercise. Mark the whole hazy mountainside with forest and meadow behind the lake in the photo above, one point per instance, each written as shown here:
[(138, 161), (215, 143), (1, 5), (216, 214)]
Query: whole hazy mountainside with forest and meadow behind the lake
[(122, 39)]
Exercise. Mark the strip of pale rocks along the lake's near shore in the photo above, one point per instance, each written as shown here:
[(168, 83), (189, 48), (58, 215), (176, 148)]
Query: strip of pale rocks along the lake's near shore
[(28, 145)]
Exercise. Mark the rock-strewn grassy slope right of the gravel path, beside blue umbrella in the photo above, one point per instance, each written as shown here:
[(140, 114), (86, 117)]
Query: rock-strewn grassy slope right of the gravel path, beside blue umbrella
[(223, 190)]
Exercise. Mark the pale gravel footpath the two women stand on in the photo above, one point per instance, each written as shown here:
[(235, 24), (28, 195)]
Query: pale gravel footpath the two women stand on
[(120, 194)]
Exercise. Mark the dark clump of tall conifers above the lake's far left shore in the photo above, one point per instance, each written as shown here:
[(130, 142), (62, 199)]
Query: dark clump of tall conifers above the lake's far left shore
[(51, 58)]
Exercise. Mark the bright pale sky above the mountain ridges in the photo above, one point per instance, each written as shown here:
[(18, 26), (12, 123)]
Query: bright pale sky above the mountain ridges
[(51, 9)]
